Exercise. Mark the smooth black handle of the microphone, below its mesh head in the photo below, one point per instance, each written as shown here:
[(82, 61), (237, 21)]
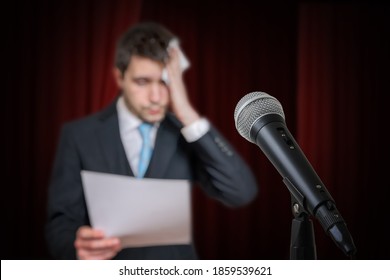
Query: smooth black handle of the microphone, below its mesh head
[(276, 142)]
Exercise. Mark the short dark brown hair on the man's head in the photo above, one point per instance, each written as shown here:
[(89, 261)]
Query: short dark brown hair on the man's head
[(146, 39)]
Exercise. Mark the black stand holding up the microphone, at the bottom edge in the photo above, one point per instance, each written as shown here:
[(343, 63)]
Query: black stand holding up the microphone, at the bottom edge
[(302, 245)]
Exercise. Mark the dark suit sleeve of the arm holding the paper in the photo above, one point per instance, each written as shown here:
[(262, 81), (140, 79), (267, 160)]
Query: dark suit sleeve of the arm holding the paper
[(66, 206)]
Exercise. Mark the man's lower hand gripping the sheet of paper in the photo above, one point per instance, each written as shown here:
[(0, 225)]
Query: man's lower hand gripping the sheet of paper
[(91, 244)]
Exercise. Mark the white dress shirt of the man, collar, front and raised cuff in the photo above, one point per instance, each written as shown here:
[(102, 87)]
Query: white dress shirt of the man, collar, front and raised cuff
[(131, 137)]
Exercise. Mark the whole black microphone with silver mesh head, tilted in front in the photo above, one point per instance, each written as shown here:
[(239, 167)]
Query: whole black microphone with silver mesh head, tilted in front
[(260, 119)]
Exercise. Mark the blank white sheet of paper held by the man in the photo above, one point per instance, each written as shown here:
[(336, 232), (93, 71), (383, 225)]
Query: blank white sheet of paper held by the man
[(142, 212)]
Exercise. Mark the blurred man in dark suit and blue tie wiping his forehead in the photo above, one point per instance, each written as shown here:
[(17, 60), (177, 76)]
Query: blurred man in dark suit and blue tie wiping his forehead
[(149, 73)]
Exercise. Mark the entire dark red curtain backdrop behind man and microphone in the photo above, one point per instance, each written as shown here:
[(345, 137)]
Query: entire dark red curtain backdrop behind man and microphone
[(326, 62)]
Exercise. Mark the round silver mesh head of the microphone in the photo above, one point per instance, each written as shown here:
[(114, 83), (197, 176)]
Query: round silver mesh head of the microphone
[(252, 107)]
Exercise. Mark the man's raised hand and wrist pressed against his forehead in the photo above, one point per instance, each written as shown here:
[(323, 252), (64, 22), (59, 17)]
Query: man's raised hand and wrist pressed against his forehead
[(180, 103)]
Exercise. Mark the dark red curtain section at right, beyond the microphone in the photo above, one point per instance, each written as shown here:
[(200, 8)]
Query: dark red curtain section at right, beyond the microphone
[(342, 92)]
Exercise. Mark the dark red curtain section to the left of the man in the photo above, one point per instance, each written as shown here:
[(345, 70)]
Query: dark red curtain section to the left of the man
[(58, 69)]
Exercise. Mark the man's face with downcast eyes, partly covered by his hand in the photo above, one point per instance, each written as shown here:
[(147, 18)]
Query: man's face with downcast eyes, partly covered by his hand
[(145, 93)]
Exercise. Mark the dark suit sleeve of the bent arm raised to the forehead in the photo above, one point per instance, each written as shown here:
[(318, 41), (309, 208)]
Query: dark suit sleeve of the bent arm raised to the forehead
[(222, 172)]
